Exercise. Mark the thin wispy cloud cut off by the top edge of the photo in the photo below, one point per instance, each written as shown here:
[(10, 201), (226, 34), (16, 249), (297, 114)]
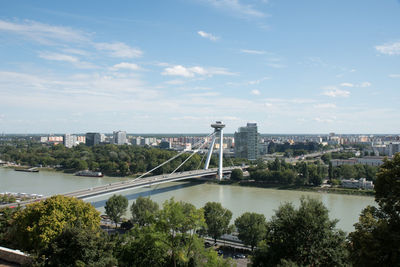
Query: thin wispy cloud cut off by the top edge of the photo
[(236, 8)]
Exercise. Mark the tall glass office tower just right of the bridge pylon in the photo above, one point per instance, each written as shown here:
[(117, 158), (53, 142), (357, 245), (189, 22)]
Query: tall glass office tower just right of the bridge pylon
[(246, 142)]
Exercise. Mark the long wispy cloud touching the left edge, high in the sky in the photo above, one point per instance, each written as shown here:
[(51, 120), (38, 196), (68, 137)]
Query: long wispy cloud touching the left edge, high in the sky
[(43, 33)]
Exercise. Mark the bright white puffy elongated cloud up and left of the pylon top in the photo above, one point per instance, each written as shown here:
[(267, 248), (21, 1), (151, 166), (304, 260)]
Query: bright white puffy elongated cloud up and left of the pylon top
[(179, 70)]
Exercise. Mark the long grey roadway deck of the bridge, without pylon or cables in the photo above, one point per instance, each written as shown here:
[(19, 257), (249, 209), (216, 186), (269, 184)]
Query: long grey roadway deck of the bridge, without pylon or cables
[(132, 184)]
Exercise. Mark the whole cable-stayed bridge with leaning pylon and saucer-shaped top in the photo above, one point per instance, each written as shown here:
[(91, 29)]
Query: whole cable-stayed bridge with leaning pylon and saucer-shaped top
[(144, 180)]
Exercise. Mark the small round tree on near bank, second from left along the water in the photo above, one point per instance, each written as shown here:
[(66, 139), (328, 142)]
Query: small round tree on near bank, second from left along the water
[(143, 211)]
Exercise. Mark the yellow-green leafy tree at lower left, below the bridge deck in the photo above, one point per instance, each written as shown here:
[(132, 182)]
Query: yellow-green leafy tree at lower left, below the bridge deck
[(36, 226)]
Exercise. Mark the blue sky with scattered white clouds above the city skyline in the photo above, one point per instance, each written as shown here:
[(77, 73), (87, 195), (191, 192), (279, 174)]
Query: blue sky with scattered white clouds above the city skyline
[(311, 66)]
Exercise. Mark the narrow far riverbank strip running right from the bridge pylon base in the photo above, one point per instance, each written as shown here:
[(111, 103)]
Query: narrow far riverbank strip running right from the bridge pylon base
[(330, 190)]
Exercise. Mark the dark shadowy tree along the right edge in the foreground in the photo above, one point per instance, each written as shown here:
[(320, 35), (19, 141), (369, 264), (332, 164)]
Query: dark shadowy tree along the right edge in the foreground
[(376, 239)]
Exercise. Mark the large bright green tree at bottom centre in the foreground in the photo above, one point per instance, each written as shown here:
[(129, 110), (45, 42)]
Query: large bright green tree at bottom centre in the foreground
[(170, 241)]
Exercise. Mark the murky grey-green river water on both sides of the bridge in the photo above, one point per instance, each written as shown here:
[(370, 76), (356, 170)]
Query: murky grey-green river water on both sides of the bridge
[(238, 199)]
